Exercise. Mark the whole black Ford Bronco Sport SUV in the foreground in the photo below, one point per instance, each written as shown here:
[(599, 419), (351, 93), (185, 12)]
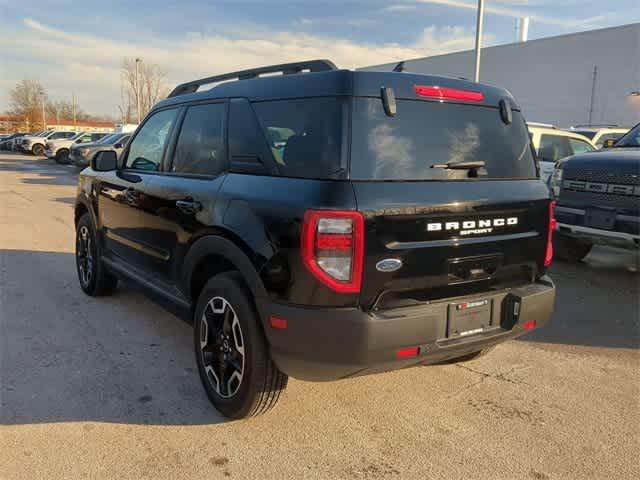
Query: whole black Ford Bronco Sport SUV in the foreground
[(324, 223)]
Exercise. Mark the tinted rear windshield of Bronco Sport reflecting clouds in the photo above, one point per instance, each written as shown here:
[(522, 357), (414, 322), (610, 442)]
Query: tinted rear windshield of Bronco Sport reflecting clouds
[(422, 134)]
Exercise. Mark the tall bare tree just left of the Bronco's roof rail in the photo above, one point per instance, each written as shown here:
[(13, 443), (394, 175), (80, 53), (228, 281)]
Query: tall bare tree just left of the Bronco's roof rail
[(142, 84)]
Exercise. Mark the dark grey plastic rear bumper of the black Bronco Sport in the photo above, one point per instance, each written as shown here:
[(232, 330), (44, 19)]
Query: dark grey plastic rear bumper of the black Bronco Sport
[(329, 344)]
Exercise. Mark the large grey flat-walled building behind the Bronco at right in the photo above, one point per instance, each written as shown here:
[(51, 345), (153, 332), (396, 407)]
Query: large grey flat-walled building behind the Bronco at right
[(582, 78)]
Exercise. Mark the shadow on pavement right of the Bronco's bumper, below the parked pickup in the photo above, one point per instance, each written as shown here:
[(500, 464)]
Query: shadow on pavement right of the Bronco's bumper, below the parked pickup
[(597, 301)]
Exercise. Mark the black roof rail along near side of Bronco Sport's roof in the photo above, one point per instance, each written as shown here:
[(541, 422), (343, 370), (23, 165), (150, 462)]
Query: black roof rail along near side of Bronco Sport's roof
[(285, 68)]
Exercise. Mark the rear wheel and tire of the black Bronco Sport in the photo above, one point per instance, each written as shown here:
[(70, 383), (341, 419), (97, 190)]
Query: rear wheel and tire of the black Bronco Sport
[(228, 338)]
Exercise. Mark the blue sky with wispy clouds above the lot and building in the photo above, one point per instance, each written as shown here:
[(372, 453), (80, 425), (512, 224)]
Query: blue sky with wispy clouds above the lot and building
[(78, 46)]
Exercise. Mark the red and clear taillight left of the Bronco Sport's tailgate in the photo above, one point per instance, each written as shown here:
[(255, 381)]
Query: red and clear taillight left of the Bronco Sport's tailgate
[(333, 248)]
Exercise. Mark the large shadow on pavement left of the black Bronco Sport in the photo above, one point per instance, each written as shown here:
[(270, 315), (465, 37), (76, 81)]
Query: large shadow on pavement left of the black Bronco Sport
[(68, 357)]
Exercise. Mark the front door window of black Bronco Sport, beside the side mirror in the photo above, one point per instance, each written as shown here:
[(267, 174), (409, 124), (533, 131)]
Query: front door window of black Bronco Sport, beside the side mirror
[(147, 148)]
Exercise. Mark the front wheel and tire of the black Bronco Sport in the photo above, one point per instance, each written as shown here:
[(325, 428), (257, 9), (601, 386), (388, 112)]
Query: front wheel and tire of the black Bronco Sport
[(94, 280)]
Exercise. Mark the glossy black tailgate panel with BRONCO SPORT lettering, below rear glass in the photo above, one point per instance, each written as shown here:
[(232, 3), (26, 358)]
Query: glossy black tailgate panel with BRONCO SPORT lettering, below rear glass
[(451, 238)]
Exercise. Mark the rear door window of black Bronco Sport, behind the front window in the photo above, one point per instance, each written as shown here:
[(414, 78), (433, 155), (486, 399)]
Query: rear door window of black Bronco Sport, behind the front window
[(200, 147)]
